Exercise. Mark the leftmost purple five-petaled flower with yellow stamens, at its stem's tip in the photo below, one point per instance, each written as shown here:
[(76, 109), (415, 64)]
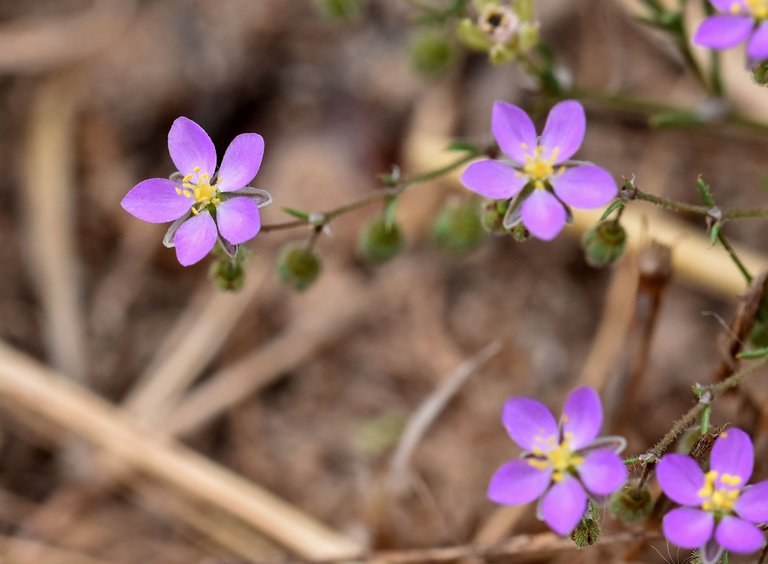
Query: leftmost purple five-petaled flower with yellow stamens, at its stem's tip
[(201, 202)]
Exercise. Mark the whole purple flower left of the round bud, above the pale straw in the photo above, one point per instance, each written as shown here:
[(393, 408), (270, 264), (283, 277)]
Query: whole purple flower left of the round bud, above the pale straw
[(539, 172)]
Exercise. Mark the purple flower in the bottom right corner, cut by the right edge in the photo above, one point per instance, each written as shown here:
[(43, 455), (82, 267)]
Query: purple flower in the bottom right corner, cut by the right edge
[(717, 501)]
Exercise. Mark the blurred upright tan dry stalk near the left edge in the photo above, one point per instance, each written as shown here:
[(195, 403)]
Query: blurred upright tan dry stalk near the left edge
[(48, 195)]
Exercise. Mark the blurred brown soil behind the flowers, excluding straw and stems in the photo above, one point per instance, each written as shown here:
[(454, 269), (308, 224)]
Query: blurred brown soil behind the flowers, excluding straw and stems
[(334, 103)]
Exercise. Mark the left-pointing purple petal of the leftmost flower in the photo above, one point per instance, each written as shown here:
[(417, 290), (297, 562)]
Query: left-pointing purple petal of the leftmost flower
[(156, 201)]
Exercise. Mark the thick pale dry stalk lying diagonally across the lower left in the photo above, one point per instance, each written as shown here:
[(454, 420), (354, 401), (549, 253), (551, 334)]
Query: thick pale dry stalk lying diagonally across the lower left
[(41, 391)]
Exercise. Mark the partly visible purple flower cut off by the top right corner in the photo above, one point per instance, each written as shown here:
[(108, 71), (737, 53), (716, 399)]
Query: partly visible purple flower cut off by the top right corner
[(738, 21)]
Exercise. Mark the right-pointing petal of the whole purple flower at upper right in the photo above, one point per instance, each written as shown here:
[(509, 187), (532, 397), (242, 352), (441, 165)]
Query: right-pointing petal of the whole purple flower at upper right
[(585, 187)]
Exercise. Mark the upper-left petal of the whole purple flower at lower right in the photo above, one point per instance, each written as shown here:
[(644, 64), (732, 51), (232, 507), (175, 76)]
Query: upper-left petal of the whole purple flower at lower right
[(530, 424)]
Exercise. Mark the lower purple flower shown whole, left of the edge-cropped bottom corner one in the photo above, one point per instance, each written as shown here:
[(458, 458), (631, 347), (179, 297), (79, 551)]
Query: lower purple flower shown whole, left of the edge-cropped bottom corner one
[(560, 461)]
